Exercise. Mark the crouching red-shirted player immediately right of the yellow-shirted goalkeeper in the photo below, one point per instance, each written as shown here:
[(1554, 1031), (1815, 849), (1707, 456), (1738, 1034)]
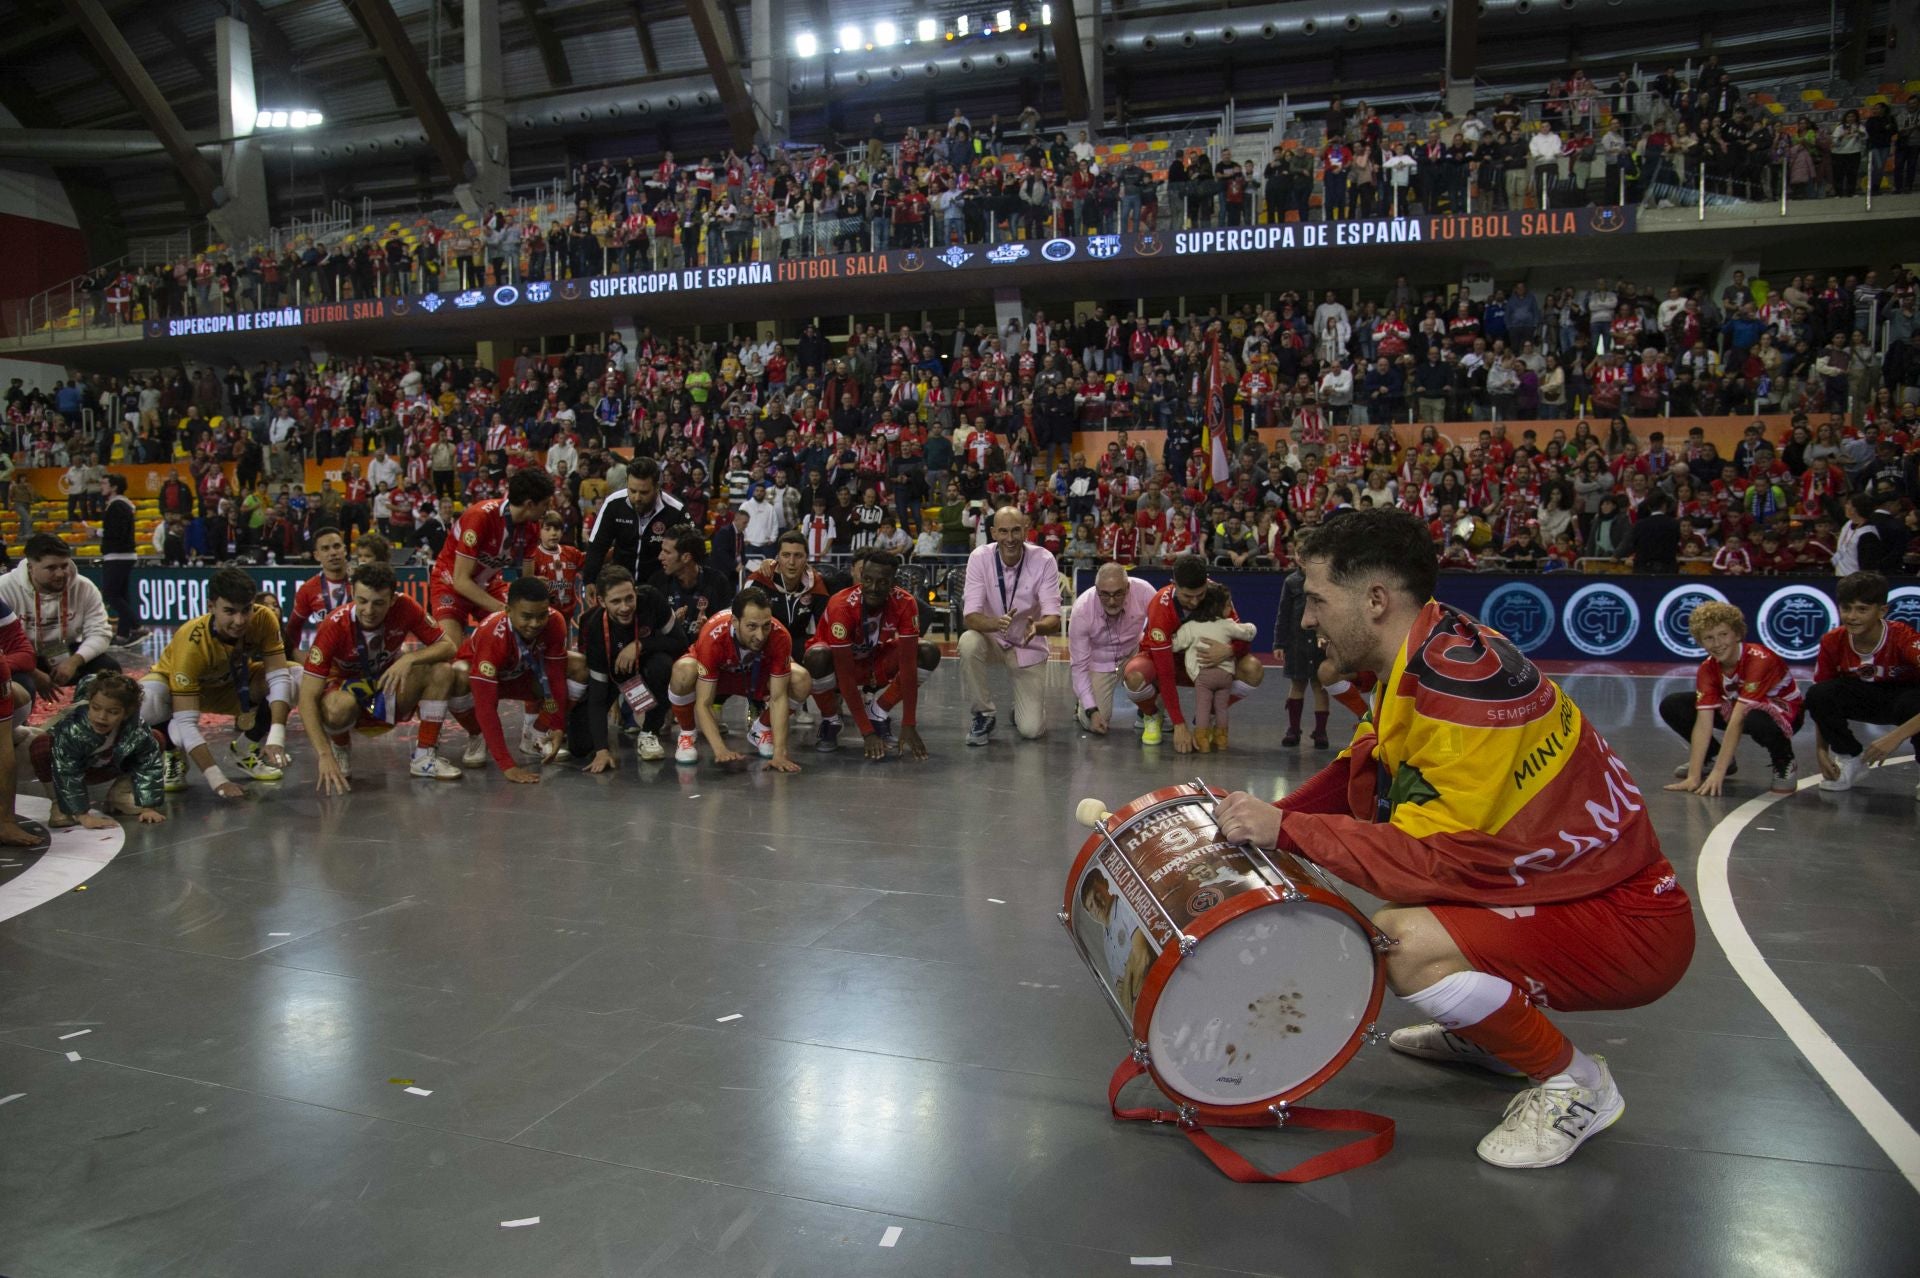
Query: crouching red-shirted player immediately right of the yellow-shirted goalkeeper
[(360, 678)]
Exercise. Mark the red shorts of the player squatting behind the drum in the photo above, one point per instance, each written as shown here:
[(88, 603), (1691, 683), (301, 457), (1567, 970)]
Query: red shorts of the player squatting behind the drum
[(1621, 949)]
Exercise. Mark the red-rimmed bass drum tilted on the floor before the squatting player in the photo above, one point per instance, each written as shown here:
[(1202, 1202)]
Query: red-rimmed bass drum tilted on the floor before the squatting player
[(1243, 978)]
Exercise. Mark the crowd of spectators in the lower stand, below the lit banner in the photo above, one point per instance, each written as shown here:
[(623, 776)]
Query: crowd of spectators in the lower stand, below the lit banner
[(911, 440)]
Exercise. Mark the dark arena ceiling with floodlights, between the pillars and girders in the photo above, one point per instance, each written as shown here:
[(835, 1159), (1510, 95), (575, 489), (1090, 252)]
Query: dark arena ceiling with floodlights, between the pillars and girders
[(316, 55)]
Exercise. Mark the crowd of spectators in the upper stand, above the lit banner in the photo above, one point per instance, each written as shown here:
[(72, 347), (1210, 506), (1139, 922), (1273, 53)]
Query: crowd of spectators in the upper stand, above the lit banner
[(1623, 141)]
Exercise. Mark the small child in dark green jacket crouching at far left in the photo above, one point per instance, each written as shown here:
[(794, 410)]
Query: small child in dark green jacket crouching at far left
[(101, 742)]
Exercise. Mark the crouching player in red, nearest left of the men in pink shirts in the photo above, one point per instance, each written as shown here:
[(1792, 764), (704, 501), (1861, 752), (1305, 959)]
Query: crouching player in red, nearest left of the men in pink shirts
[(869, 646)]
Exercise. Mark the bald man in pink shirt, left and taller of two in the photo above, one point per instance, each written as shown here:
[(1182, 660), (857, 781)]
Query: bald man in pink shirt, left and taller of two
[(1013, 607)]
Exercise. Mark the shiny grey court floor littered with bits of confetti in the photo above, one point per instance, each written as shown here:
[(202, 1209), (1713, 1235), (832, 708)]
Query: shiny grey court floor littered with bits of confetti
[(917, 1047)]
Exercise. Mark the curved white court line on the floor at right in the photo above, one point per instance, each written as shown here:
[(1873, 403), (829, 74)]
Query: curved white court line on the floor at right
[(1854, 1089)]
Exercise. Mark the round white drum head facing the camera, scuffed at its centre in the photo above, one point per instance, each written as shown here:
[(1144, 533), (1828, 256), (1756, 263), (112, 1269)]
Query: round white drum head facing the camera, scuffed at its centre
[(1262, 1005)]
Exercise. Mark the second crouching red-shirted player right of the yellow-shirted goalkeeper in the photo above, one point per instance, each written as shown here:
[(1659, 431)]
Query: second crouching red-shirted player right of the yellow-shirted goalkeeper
[(514, 655)]
